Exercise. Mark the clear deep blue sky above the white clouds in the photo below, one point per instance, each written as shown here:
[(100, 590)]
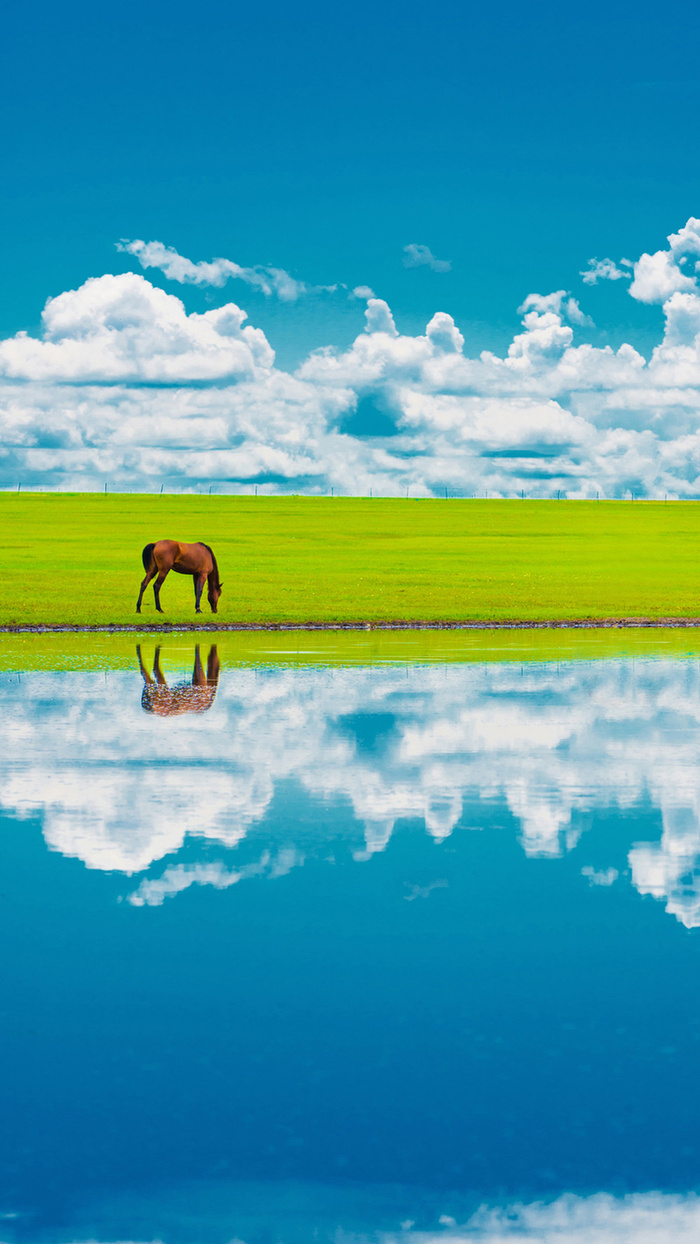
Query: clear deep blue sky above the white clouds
[(514, 141)]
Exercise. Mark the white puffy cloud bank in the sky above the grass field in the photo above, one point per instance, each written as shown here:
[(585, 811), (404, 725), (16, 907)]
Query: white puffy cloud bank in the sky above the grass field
[(124, 385)]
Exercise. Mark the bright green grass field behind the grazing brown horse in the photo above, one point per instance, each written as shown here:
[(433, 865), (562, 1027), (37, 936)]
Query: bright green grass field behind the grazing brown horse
[(76, 559)]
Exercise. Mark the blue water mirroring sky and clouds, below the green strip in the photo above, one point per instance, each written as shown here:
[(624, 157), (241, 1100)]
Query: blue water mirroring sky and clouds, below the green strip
[(310, 952)]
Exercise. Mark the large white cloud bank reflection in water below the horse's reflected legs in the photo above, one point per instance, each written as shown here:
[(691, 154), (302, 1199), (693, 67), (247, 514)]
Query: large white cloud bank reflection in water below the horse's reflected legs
[(551, 745)]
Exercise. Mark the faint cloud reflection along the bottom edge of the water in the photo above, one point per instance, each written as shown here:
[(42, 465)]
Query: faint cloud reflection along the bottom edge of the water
[(295, 1214)]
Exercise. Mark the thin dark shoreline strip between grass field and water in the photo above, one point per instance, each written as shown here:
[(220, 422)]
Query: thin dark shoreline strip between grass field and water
[(416, 625)]
